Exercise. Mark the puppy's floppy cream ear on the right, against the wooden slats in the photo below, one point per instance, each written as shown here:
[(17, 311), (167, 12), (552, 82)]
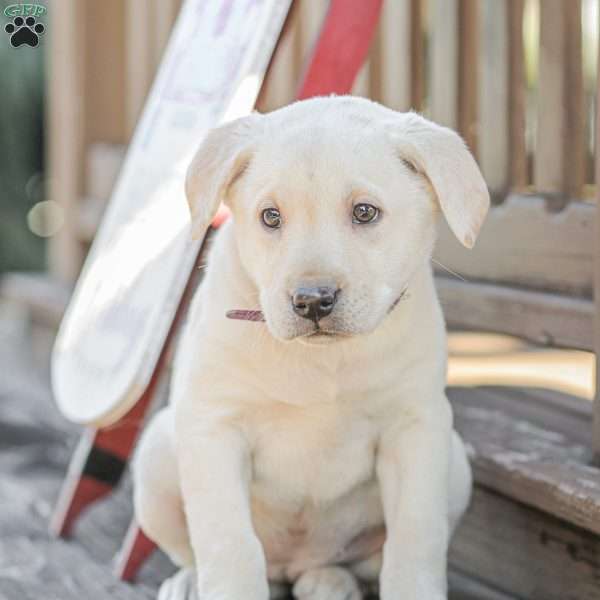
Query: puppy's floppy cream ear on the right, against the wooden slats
[(441, 155)]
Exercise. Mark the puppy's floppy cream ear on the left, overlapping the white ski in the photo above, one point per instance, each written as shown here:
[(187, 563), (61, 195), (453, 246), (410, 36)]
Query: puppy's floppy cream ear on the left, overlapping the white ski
[(222, 158)]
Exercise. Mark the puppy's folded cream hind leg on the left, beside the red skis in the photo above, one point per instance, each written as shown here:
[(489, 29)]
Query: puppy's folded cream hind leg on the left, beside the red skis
[(157, 497)]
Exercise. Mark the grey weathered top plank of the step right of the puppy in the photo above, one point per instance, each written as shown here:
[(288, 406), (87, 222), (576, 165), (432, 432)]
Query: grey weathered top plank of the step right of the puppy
[(529, 462)]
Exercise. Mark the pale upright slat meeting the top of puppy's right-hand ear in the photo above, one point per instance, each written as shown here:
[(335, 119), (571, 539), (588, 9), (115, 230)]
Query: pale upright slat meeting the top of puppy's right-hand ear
[(443, 83)]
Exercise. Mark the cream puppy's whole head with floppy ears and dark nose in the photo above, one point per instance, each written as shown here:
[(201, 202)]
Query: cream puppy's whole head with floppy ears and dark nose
[(335, 202)]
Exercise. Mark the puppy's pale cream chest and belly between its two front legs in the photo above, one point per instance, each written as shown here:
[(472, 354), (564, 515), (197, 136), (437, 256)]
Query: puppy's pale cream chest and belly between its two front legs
[(315, 498)]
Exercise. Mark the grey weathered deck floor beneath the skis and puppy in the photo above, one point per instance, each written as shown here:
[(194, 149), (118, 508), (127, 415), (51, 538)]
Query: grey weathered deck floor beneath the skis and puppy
[(35, 446)]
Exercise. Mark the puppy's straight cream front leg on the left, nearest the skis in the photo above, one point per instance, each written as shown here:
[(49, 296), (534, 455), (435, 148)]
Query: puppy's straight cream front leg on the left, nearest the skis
[(215, 470)]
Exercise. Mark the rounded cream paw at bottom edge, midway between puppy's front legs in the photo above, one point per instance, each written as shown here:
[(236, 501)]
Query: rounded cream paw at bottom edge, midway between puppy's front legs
[(327, 583)]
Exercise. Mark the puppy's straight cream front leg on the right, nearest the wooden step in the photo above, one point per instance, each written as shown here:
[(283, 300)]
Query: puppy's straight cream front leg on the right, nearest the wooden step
[(412, 468)]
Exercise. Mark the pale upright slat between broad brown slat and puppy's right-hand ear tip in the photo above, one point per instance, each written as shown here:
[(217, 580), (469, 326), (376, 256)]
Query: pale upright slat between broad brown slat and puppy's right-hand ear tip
[(493, 95)]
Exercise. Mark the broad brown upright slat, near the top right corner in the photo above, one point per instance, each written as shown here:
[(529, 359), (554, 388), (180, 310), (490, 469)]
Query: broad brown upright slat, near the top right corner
[(559, 163)]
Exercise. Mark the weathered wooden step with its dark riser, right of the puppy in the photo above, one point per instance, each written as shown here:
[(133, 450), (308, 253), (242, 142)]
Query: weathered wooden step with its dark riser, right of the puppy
[(533, 524)]
